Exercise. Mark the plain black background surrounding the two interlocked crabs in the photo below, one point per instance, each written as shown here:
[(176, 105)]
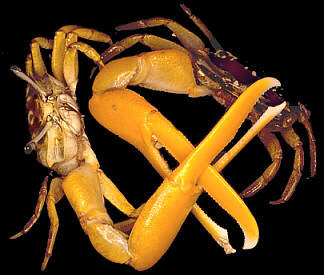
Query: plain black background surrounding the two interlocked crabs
[(273, 39)]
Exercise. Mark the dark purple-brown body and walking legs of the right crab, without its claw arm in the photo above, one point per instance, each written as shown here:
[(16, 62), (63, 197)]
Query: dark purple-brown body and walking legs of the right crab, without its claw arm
[(227, 79)]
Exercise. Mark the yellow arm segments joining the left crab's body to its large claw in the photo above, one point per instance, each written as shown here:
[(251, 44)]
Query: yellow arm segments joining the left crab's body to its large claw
[(83, 191)]
